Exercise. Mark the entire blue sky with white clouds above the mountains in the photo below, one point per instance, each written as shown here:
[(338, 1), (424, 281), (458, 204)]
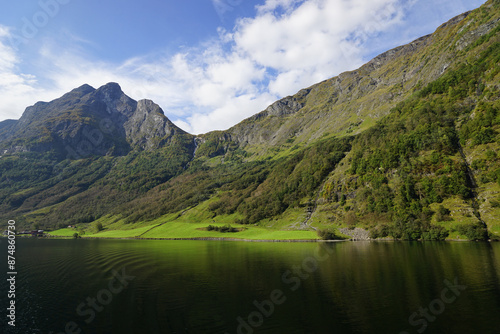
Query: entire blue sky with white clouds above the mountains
[(208, 63)]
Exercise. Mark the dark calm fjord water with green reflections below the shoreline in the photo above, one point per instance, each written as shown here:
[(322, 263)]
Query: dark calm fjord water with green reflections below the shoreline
[(154, 286)]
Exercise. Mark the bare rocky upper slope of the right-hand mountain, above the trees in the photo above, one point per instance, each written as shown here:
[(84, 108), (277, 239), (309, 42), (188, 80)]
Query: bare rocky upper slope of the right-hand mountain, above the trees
[(353, 101)]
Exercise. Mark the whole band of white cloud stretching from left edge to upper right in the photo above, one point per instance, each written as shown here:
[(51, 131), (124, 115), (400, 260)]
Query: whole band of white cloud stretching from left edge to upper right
[(289, 45)]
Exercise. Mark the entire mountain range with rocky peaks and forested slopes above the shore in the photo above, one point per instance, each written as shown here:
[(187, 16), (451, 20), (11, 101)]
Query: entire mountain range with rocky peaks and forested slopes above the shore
[(405, 146)]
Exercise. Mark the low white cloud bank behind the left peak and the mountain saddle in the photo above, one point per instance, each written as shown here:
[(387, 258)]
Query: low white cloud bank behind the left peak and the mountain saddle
[(200, 91)]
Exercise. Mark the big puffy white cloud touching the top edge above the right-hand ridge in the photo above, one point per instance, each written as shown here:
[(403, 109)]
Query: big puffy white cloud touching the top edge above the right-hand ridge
[(317, 39)]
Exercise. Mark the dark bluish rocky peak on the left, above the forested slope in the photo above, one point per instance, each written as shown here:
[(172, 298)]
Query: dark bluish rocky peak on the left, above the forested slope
[(86, 122)]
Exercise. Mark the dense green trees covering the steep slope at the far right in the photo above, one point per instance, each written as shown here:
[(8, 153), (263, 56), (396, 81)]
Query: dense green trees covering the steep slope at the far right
[(416, 156)]
